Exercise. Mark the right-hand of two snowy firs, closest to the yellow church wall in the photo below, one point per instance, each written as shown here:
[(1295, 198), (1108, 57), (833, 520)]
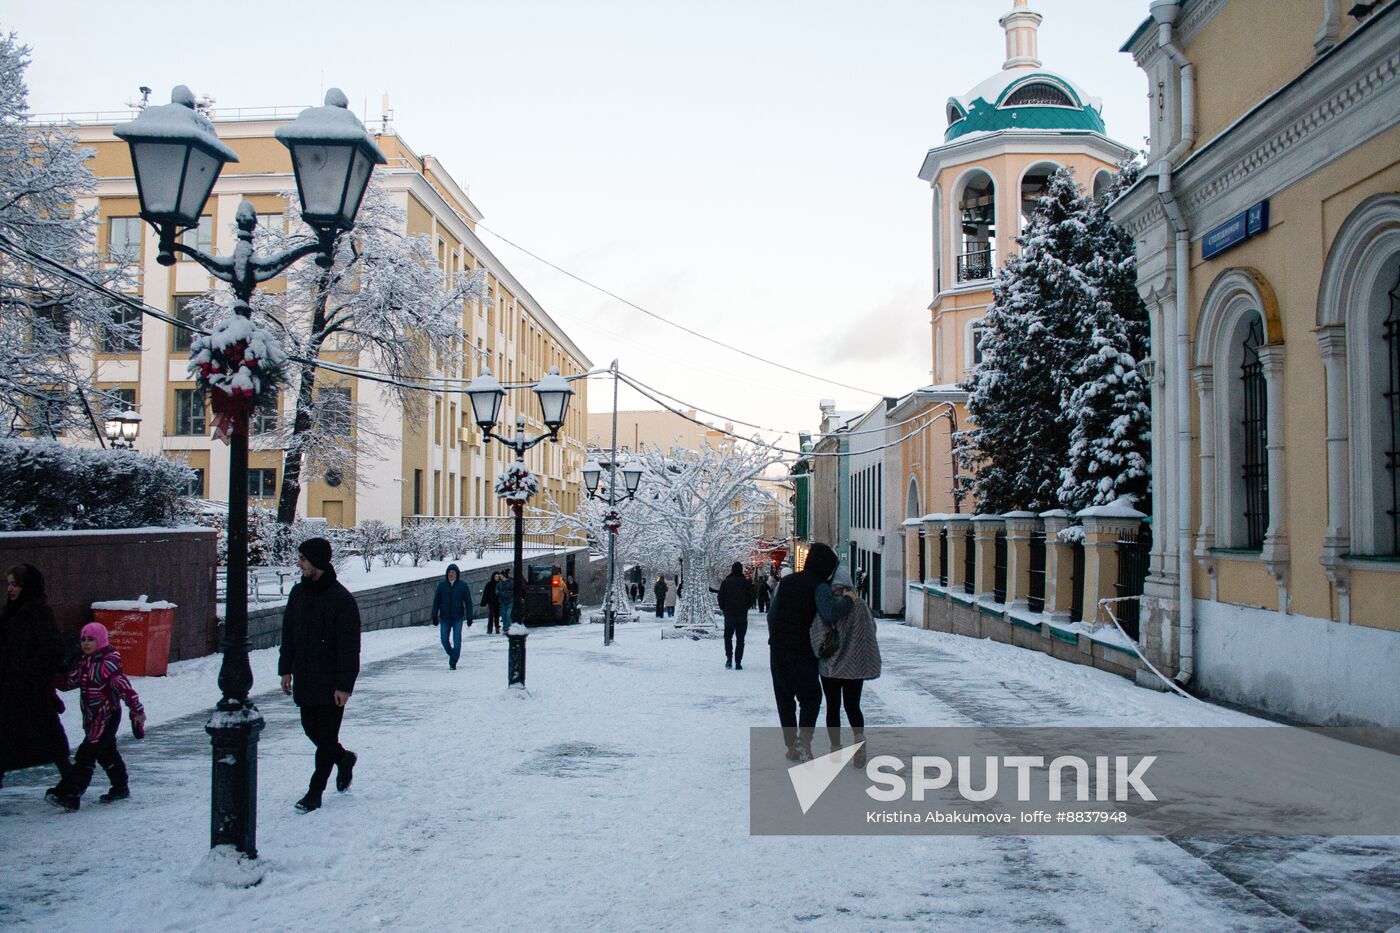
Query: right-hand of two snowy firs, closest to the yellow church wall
[(1109, 407)]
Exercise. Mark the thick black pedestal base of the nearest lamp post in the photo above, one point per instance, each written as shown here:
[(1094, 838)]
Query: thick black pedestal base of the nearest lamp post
[(234, 729)]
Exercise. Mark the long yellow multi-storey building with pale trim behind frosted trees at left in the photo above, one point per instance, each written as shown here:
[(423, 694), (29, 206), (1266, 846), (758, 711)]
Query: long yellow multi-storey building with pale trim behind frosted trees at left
[(430, 467)]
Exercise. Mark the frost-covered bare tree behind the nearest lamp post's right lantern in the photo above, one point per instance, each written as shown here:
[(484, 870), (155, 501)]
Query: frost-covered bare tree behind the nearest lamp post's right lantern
[(386, 306)]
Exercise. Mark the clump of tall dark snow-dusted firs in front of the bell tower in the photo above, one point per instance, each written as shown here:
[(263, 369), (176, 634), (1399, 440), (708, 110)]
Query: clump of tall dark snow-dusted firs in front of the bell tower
[(1056, 403)]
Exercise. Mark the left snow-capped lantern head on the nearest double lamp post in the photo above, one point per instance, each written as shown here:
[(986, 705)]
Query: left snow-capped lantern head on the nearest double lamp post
[(177, 158)]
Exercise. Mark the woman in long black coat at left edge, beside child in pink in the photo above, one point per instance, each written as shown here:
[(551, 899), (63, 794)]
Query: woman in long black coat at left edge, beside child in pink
[(31, 654)]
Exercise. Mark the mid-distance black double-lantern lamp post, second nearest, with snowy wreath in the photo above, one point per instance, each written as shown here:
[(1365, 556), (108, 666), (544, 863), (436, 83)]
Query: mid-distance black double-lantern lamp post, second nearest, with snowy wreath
[(486, 394)]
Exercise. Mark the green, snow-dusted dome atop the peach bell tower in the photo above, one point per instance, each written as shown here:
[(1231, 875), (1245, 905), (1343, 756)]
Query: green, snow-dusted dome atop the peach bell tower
[(1025, 100)]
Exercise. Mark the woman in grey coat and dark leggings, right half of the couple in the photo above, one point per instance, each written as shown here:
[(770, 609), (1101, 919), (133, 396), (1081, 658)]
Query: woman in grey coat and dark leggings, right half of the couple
[(855, 662)]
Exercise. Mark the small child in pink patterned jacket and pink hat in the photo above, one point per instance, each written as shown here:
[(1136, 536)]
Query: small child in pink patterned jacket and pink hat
[(103, 690)]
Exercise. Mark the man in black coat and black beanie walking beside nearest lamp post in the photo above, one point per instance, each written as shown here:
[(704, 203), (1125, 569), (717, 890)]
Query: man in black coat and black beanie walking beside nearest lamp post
[(320, 662)]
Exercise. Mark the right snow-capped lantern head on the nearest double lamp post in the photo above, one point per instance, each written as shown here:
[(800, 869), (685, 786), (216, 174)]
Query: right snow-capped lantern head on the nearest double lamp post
[(332, 156)]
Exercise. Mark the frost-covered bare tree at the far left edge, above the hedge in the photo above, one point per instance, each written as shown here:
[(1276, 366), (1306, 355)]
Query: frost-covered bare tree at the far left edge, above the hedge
[(50, 326)]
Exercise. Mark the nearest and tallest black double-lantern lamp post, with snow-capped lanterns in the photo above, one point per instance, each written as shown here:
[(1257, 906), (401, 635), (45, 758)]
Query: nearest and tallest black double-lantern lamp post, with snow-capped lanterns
[(177, 159)]
